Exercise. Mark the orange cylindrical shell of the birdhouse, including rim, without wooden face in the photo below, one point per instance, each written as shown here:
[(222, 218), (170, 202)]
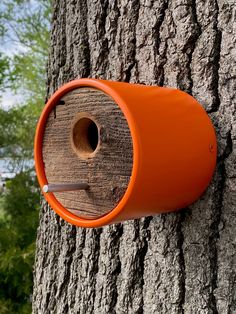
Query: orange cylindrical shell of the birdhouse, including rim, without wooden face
[(174, 150)]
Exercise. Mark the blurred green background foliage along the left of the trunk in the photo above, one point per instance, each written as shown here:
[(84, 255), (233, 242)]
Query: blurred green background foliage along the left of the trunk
[(24, 36)]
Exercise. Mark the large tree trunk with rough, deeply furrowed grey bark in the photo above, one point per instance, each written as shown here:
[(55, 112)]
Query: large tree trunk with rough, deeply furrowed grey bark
[(175, 263)]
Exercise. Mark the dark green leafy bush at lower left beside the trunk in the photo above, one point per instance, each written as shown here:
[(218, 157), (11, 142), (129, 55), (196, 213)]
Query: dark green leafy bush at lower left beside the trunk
[(17, 243)]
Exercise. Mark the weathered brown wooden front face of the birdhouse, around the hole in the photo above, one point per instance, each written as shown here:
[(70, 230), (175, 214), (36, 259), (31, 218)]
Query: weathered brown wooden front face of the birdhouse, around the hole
[(107, 170)]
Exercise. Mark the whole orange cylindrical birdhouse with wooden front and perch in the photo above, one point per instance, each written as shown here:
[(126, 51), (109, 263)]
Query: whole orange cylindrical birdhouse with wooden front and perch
[(107, 151)]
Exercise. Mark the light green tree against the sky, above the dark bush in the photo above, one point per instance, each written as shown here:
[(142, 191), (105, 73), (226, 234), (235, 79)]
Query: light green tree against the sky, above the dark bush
[(24, 29)]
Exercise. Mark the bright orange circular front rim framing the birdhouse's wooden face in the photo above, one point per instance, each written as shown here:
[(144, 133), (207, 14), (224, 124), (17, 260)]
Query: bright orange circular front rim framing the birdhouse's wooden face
[(38, 156)]
